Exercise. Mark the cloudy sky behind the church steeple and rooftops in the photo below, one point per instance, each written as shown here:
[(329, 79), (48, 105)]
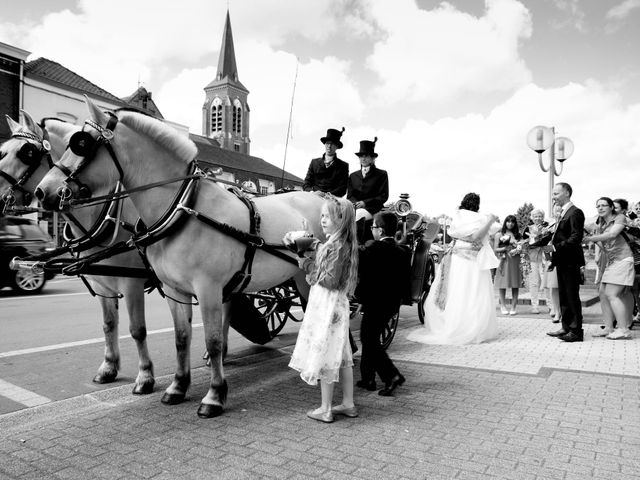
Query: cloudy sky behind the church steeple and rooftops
[(450, 89)]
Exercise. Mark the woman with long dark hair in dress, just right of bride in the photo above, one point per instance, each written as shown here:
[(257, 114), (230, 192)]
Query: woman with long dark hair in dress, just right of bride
[(508, 275)]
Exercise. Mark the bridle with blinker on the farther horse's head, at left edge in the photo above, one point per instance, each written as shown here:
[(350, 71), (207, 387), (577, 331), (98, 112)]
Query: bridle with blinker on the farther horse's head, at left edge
[(31, 155)]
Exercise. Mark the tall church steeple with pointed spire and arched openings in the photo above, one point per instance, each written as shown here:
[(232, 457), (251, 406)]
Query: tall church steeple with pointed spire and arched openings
[(225, 113)]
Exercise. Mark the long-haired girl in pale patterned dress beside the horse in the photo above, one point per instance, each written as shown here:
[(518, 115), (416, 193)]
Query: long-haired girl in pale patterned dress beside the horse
[(322, 350)]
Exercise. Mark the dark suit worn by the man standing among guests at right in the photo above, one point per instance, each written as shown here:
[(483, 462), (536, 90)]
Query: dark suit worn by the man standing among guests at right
[(567, 258)]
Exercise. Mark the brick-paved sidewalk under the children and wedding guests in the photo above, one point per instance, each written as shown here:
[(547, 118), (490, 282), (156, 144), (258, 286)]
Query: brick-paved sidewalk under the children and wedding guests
[(524, 406)]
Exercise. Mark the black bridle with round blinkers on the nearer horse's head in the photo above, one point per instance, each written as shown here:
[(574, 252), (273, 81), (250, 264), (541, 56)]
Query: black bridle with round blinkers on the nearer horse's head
[(82, 144)]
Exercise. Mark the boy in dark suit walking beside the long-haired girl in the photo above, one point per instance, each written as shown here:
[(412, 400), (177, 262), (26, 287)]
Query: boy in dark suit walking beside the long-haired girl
[(384, 271)]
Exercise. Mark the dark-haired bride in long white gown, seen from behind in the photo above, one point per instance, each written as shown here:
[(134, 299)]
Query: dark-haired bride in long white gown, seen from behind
[(461, 306)]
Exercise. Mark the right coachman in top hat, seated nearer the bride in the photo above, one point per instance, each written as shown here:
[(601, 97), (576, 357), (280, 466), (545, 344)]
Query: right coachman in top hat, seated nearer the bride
[(368, 187)]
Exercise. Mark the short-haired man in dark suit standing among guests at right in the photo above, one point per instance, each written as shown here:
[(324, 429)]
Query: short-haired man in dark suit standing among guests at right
[(567, 258)]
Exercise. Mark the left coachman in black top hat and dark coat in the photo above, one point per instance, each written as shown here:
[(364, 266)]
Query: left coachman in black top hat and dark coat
[(328, 173)]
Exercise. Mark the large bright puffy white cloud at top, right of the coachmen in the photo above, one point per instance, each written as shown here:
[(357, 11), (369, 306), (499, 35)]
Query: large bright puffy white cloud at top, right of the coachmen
[(437, 55)]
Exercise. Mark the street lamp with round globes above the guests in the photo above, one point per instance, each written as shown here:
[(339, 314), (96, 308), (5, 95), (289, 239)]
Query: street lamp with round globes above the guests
[(540, 139)]
